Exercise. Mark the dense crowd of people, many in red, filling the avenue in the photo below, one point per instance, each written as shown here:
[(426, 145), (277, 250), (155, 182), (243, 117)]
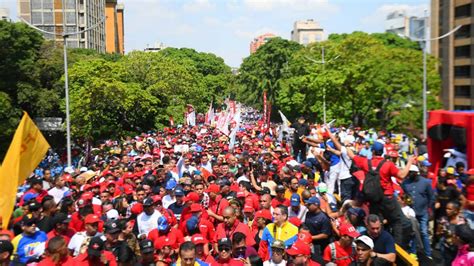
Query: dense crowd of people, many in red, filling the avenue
[(182, 196)]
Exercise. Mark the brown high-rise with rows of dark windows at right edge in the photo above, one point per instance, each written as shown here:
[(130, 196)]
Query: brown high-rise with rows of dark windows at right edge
[(454, 52)]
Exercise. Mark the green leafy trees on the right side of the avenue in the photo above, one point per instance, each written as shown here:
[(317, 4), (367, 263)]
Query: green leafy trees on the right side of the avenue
[(369, 80)]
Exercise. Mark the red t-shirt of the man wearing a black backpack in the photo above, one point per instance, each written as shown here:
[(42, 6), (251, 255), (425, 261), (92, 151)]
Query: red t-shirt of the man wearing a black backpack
[(388, 170)]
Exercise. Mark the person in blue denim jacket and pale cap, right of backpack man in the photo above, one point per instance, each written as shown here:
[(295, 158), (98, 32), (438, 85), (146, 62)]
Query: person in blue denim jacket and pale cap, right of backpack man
[(419, 188)]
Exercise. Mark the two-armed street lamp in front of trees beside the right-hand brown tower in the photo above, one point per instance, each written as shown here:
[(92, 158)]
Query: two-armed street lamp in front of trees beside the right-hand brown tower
[(423, 43)]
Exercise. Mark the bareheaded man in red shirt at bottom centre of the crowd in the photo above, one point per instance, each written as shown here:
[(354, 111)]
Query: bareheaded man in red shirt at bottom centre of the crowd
[(231, 225)]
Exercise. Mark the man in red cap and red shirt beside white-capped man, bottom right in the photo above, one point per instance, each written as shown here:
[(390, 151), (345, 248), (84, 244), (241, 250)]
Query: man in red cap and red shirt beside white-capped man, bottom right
[(342, 252)]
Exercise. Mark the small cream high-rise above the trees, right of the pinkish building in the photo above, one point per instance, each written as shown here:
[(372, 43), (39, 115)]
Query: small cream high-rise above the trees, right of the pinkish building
[(307, 31)]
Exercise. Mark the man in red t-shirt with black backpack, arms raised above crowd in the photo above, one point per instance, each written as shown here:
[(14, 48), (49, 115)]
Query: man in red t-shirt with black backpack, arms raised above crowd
[(388, 207)]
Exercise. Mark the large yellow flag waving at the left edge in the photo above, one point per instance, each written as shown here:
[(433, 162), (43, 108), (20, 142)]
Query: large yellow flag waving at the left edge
[(24, 154)]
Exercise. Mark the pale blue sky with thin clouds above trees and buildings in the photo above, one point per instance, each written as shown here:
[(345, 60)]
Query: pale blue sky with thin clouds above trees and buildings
[(226, 27)]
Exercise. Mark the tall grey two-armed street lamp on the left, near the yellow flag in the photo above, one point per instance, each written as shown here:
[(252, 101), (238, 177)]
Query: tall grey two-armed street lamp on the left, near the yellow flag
[(65, 34)]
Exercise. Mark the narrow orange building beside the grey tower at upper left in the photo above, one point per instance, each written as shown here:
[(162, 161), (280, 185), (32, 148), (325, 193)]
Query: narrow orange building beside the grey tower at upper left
[(114, 27)]
